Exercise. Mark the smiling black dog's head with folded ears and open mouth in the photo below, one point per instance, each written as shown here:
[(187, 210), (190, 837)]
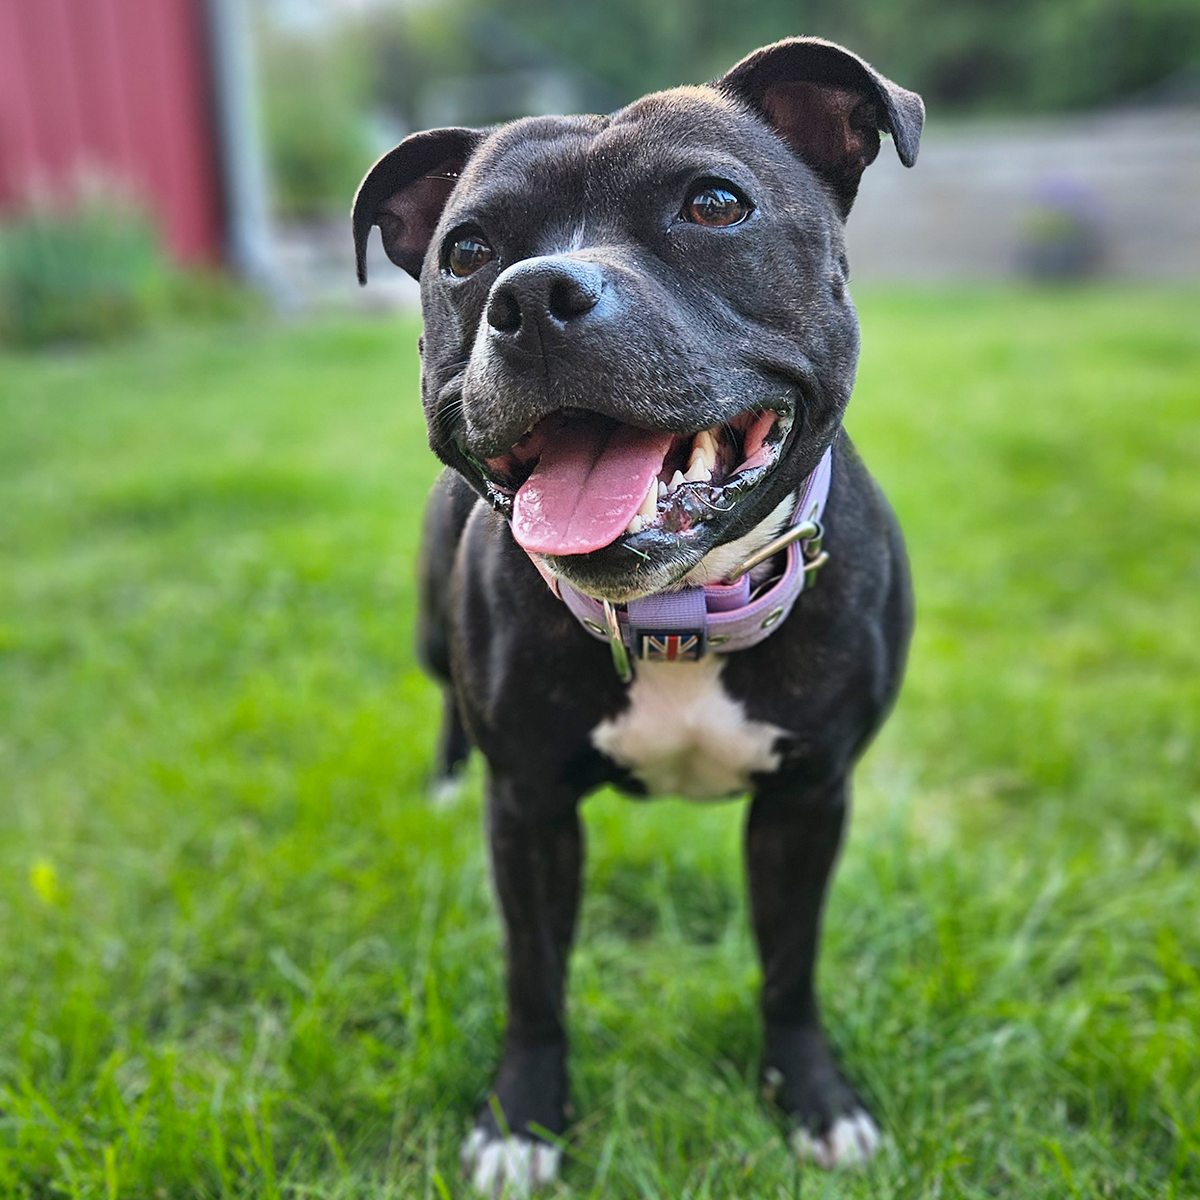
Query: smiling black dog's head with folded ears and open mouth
[(638, 333)]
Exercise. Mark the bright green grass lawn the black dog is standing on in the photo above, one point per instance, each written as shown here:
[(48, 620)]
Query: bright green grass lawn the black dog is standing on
[(241, 956)]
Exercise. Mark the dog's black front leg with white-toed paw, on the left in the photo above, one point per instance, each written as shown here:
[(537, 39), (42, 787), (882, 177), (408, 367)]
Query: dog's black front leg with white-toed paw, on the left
[(537, 849)]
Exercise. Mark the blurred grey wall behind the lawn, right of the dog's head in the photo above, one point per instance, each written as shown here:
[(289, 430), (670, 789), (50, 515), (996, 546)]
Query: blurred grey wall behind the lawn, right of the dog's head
[(986, 199)]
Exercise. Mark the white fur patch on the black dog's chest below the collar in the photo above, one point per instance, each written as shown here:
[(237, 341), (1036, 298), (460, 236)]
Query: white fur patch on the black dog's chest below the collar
[(683, 734)]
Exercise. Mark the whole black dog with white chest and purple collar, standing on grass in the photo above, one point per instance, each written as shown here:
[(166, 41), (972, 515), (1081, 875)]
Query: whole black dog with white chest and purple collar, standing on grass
[(639, 347)]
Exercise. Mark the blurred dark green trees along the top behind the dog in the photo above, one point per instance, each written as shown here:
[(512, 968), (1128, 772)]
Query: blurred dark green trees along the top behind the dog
[(1021, 56)]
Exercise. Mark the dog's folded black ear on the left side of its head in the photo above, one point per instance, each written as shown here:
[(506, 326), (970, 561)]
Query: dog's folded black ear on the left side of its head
[(405, 194)]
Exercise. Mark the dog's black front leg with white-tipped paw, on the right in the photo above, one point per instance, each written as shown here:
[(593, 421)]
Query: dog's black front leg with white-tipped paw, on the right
[(793, 841)]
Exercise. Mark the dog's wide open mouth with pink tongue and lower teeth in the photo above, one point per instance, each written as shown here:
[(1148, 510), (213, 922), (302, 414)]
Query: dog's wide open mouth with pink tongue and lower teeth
[(579, 482)]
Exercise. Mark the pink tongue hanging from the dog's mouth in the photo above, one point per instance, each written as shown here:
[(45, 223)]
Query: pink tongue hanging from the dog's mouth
[(589, 484)]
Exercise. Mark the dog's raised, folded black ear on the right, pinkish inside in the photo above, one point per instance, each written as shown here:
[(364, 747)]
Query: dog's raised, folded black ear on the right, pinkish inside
[(830, 107)]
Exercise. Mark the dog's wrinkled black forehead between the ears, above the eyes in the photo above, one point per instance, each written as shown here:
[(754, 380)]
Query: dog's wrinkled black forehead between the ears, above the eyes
[(573, 165)]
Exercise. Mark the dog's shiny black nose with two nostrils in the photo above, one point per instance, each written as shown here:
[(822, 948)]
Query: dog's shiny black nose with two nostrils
[(542, 296)]
